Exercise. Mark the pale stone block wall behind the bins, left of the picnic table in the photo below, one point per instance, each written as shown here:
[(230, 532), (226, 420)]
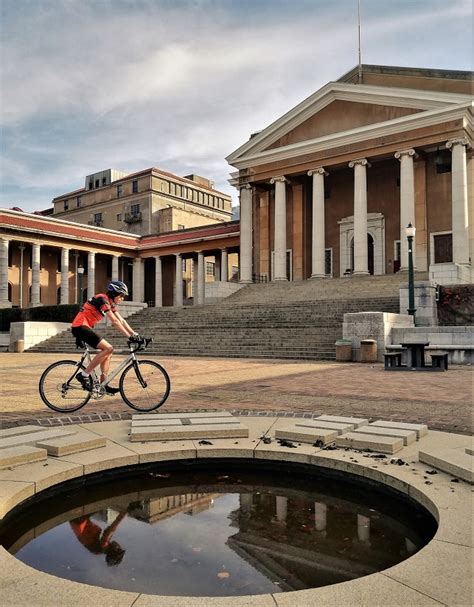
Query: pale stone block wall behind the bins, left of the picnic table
[(372, 325)]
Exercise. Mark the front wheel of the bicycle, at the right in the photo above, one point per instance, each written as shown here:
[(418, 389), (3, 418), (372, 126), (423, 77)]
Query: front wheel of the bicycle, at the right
[(145, 385)]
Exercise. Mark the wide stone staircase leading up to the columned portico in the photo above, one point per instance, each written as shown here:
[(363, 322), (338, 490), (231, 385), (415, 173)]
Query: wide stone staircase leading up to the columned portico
[(285, 321)]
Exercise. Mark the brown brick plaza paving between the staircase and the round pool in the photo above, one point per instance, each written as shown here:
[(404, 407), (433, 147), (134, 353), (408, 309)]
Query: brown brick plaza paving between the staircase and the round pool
[(265, 387)]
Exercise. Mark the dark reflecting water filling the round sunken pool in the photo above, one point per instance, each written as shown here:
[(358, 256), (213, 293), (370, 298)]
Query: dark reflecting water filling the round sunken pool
[(228, 537)]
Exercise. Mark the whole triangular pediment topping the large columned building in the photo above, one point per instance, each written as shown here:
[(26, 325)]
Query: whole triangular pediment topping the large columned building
[(343, 108)]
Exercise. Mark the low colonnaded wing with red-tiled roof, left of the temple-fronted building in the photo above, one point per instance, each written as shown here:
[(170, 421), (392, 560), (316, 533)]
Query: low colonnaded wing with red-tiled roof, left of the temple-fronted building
[(45, 261)]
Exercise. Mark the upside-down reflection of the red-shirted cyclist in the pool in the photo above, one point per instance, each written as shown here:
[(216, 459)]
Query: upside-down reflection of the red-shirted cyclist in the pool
[(97, 540)]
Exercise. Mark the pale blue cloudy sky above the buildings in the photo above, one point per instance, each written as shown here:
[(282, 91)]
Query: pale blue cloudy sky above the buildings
[(179, 84)]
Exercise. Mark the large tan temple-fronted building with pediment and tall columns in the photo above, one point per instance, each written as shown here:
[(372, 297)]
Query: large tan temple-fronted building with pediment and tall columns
[(328, 189)]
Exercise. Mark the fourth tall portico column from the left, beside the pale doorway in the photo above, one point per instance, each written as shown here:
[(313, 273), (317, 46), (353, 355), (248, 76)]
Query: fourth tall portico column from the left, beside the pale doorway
[(360, 216)]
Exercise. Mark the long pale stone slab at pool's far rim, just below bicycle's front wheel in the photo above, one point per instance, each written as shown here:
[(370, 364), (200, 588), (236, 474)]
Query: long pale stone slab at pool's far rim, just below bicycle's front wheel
[(152, 433)]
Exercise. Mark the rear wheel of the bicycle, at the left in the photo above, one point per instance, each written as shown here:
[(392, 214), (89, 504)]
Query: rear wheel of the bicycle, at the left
[(59, 388)]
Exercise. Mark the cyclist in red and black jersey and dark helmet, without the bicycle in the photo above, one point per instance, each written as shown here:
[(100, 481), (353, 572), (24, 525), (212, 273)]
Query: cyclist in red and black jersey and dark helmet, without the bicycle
[(95, 308)]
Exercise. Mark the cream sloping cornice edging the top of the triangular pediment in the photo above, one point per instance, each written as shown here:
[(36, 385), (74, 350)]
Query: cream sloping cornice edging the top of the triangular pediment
[(377, 95)]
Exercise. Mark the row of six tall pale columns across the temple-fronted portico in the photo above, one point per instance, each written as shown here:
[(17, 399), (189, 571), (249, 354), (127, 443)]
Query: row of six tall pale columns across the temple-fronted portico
[(460, 214)]
